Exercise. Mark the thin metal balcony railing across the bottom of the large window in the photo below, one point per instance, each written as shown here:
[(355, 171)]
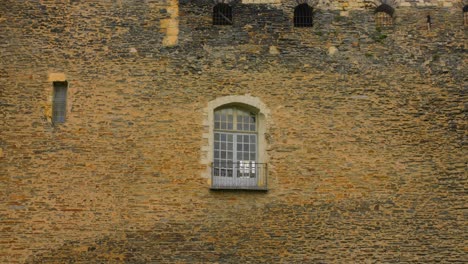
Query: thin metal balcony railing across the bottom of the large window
[(242, 175)]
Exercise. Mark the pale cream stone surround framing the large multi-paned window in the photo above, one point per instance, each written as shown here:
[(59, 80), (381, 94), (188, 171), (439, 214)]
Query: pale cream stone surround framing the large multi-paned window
[(246, 102)]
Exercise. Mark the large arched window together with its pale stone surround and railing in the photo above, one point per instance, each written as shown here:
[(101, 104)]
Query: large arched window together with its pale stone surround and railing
[(234, 149)]
